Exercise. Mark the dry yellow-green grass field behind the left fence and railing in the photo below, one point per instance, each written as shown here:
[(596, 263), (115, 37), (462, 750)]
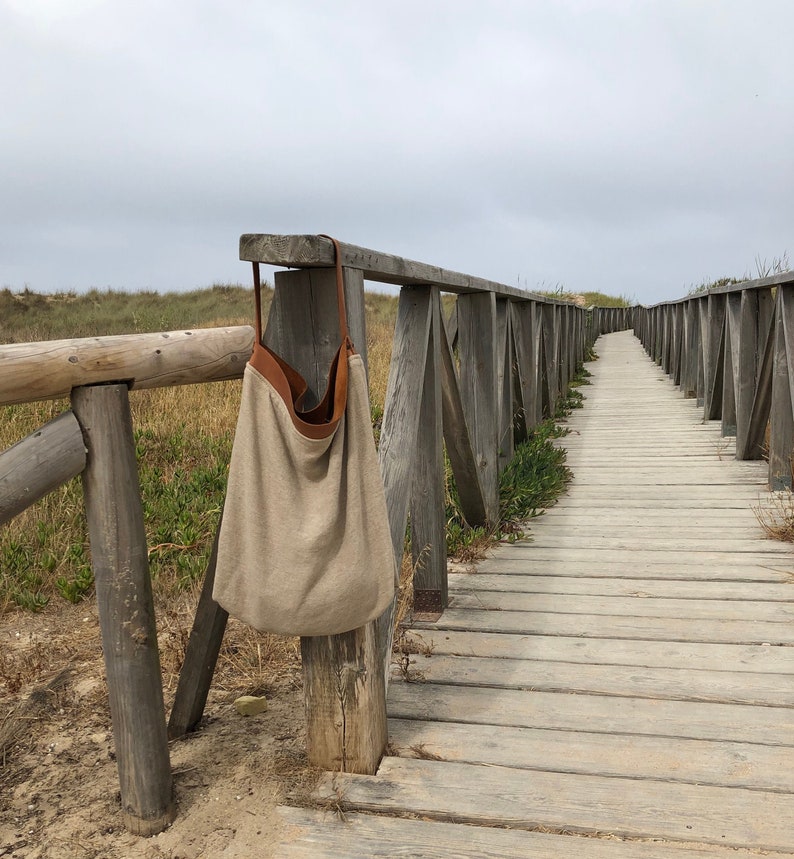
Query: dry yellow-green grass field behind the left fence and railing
[(183, 441)]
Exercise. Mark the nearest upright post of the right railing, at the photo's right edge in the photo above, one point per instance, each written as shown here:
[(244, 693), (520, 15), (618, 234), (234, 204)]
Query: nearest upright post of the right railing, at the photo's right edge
[(781, 419)]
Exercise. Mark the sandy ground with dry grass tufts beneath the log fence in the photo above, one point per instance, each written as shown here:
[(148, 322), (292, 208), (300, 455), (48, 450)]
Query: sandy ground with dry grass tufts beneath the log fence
[(59, 794)]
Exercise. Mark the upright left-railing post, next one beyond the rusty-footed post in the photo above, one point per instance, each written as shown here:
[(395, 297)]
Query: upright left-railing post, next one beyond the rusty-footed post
[(478, 385)]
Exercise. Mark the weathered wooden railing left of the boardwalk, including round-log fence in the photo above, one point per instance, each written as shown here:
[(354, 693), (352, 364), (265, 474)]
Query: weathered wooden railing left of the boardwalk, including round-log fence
[(473, 384)]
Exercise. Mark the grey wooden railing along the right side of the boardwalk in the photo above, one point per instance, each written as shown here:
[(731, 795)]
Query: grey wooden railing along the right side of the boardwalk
[(732, 348)]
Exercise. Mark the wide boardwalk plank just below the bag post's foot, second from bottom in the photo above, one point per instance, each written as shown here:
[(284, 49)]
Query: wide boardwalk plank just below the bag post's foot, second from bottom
[(624, 807)]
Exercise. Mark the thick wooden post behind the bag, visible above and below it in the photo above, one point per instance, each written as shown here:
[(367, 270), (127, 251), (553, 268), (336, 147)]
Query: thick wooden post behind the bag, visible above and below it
[(343, 675)]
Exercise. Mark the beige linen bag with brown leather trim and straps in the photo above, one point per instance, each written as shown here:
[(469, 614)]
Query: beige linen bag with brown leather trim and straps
[(304, 546)]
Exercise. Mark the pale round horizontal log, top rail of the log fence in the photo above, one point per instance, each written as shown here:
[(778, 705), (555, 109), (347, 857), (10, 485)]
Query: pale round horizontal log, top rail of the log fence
[(48, 370)]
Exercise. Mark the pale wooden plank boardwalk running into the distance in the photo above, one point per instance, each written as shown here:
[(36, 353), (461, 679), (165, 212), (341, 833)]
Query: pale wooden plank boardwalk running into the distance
[(627, 676)]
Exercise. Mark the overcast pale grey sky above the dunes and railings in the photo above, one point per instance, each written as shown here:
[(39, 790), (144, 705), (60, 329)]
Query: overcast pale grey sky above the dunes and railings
[(635, 148)]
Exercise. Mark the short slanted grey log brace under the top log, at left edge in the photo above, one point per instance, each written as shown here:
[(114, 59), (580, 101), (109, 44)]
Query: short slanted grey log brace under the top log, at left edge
[(39, 463)]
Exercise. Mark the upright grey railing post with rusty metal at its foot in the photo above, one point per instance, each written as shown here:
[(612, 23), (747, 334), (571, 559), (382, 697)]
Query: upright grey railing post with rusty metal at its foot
[(428, 525)]
